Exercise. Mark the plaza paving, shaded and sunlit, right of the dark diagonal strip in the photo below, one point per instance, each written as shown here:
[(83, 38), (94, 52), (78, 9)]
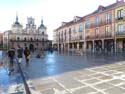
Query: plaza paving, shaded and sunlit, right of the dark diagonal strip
[(69, 74)]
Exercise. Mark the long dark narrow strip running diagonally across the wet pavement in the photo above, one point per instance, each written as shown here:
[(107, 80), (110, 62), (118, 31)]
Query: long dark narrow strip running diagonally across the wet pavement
[(27, 90)]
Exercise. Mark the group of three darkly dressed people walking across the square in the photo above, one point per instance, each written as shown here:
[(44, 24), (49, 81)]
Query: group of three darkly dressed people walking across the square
[(17, 54)]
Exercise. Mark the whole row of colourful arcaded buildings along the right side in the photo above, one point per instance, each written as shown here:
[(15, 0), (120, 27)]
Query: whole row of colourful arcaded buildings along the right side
[(95, 32)]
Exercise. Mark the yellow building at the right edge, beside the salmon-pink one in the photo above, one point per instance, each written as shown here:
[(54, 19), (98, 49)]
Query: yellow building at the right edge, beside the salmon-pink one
[(120, 26)]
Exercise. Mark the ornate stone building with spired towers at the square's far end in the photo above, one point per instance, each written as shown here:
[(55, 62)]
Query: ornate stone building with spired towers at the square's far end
[(30, 36)]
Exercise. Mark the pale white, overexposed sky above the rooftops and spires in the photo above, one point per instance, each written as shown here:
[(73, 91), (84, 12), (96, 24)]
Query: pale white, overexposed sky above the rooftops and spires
[(53, 12)]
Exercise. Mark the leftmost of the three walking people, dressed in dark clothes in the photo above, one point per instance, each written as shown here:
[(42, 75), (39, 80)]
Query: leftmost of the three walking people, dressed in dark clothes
[(11, 55)]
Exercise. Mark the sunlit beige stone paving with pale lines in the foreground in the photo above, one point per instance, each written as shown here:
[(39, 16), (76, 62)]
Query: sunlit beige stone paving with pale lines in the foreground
[(88, 81)]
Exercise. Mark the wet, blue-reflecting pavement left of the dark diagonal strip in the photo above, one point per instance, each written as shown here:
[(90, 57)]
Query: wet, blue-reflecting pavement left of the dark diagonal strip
[(9, 84)]
